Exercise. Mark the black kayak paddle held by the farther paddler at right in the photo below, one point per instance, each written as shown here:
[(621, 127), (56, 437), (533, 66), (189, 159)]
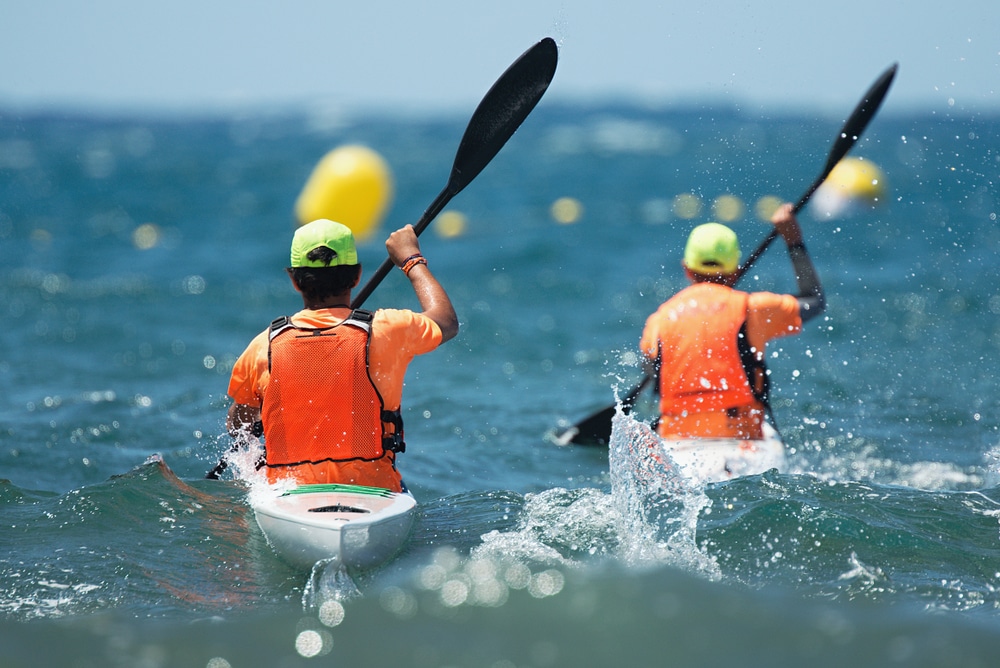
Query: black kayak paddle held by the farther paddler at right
[(596, 428)]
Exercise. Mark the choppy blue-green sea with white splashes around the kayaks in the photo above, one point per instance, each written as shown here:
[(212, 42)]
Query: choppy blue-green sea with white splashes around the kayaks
[(140, 253)]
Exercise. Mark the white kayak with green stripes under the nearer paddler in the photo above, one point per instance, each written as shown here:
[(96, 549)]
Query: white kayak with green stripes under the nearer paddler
[(357, 527)]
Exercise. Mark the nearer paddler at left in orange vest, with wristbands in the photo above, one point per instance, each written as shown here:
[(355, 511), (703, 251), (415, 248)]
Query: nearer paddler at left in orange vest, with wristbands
[(325, 385)]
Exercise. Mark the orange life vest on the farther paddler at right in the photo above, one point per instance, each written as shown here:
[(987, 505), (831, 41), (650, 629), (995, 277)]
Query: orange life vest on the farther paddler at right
[(702, 355)]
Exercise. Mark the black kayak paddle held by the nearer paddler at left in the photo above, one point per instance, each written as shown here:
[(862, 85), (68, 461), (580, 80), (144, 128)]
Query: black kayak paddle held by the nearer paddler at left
[(505, 106)]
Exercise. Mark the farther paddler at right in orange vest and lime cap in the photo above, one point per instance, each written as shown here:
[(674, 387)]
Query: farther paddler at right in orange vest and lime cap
[(706, 345)]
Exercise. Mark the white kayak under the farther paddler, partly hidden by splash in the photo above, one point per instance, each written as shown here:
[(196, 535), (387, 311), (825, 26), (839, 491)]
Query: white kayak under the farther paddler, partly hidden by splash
[(720, 459)]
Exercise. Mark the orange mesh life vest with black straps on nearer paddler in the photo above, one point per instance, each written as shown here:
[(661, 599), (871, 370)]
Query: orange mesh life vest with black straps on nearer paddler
[(320, 404)]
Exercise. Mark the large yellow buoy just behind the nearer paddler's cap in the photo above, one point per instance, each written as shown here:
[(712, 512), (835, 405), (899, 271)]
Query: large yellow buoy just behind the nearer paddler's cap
[(352, 185)]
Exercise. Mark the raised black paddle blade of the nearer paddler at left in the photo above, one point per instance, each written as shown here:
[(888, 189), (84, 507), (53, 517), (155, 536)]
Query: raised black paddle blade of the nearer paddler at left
[(502, 111)]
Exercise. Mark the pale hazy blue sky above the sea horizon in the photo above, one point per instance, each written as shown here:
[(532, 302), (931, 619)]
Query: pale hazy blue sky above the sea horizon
[(411, 55)]
